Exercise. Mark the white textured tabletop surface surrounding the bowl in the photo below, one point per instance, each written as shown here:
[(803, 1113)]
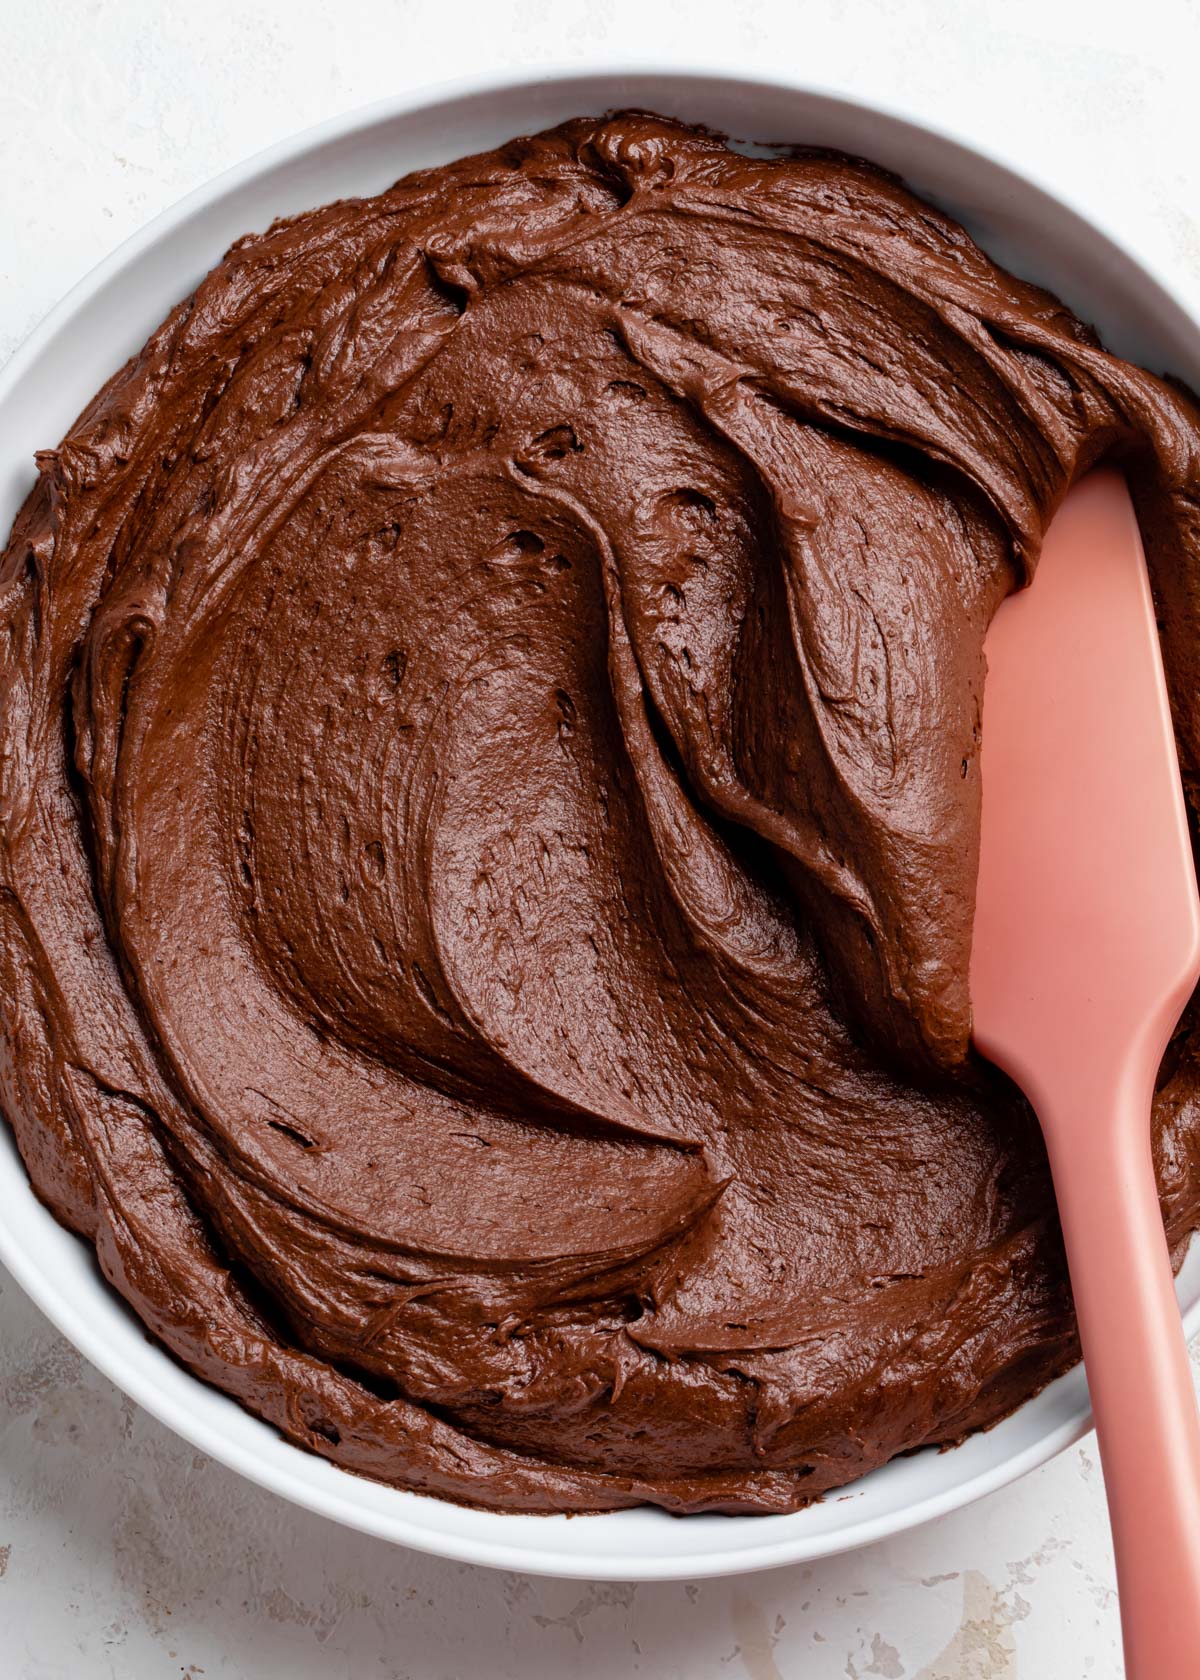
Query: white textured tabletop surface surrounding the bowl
[(122, 1551)]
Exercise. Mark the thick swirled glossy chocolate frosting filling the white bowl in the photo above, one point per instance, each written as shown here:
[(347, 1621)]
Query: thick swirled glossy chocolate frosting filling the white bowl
[(490, 812)]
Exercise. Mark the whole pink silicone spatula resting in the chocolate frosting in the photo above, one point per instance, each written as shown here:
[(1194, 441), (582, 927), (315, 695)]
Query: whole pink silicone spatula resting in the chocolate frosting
[(1087, 950)]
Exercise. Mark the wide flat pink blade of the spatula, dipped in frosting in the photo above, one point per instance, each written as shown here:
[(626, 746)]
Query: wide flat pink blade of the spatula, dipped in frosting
[(1087, 920)]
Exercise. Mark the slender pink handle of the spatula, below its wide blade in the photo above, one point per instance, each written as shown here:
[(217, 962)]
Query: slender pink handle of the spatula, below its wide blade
[(1140, 1382)]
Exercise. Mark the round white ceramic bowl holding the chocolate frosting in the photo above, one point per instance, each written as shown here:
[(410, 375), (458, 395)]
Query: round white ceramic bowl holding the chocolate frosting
[(107, 318)]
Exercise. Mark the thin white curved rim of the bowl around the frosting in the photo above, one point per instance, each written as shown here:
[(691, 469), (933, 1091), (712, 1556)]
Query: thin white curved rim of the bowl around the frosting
[(152, 1390)]
